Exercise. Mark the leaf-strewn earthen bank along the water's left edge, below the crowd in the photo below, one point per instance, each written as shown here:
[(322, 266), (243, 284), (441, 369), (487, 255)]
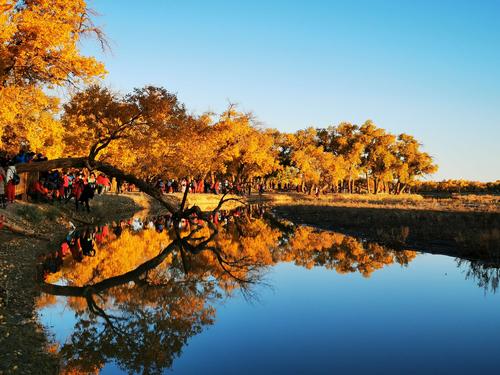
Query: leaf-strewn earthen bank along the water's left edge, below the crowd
[(23, 342)]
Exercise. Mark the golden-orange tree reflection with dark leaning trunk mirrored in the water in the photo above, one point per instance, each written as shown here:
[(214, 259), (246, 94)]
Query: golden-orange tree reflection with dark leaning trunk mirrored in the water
[(142, 318)]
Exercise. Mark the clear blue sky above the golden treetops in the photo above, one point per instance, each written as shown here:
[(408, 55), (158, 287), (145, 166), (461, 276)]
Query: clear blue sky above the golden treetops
[(428, 68)]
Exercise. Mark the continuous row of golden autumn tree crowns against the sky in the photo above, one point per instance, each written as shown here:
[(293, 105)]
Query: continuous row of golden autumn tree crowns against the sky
[(150, 133)]
